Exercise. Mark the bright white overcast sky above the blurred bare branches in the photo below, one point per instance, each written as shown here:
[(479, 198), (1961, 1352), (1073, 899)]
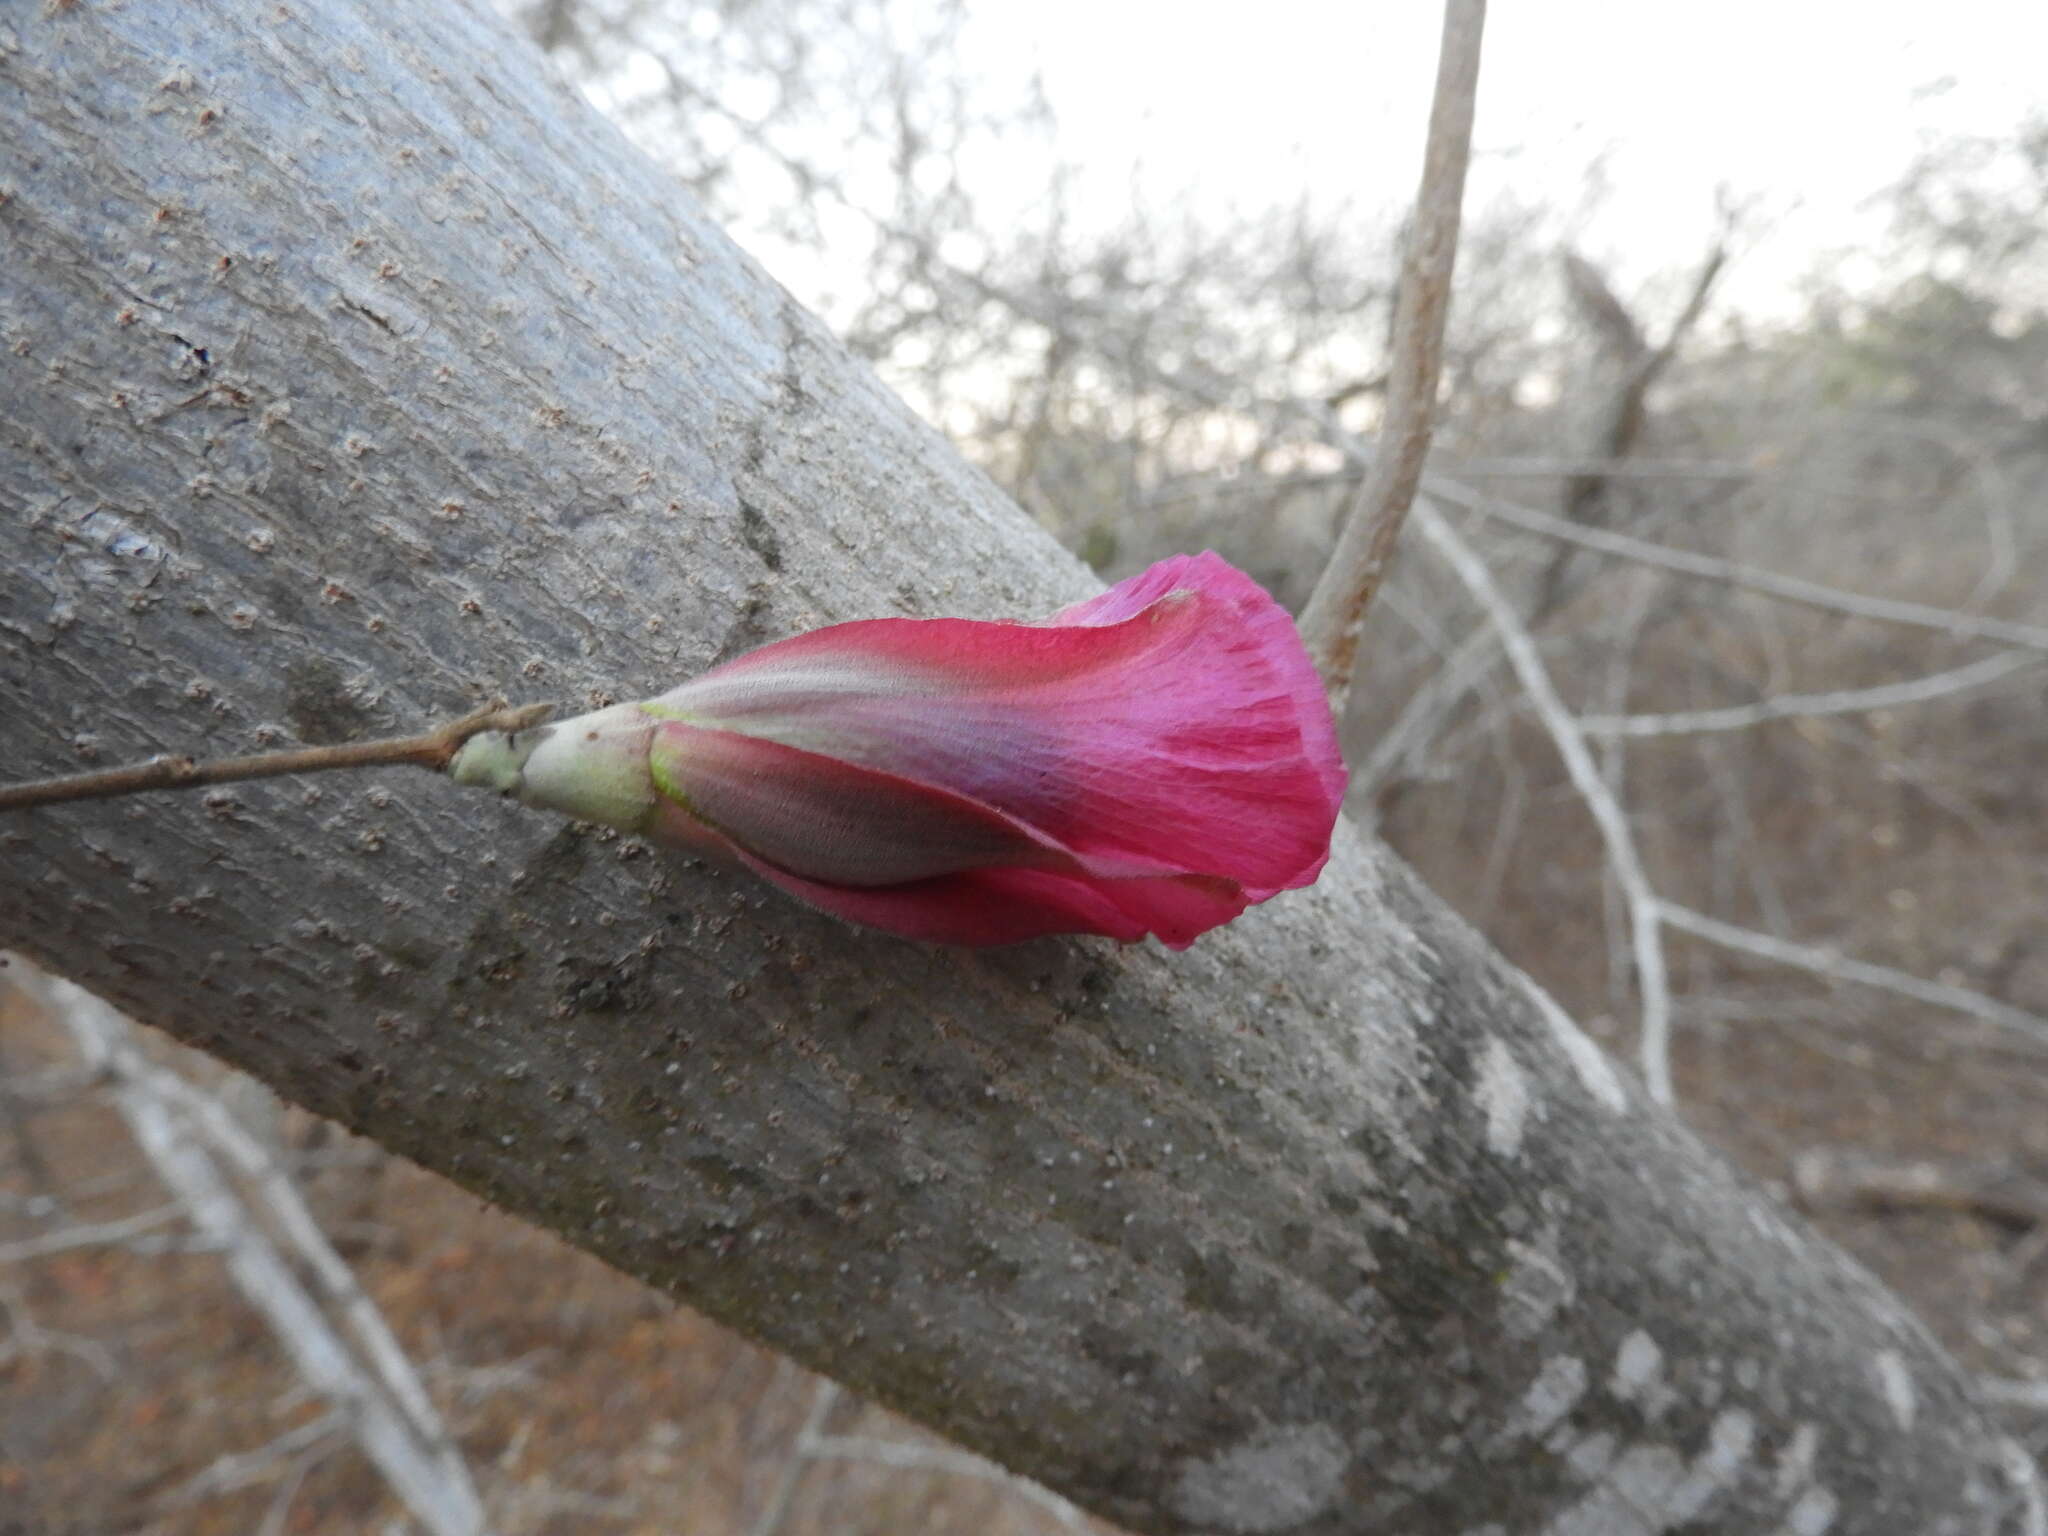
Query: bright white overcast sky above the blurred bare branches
[(1809, 105)]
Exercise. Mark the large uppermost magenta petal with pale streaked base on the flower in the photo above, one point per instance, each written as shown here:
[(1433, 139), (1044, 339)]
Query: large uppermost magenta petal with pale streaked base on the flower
[(1170, 728)]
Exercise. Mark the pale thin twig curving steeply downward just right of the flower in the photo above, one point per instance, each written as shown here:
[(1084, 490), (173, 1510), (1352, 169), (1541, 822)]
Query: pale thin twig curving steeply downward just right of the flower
[(1609, 816)]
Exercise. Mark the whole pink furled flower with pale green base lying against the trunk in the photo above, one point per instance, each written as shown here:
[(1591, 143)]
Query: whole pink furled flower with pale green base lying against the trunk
[(1152, 761)]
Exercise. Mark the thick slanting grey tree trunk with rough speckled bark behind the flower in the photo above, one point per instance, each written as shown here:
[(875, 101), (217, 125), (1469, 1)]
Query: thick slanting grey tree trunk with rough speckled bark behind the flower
[(353, 372)]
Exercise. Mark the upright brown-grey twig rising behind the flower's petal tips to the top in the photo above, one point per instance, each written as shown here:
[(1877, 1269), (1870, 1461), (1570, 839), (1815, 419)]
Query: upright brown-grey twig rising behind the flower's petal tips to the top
[(1373, 525)]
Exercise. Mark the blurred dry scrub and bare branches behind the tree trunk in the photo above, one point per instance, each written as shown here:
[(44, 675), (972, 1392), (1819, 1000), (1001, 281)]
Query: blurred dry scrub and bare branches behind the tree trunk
[(1168, 380)]
